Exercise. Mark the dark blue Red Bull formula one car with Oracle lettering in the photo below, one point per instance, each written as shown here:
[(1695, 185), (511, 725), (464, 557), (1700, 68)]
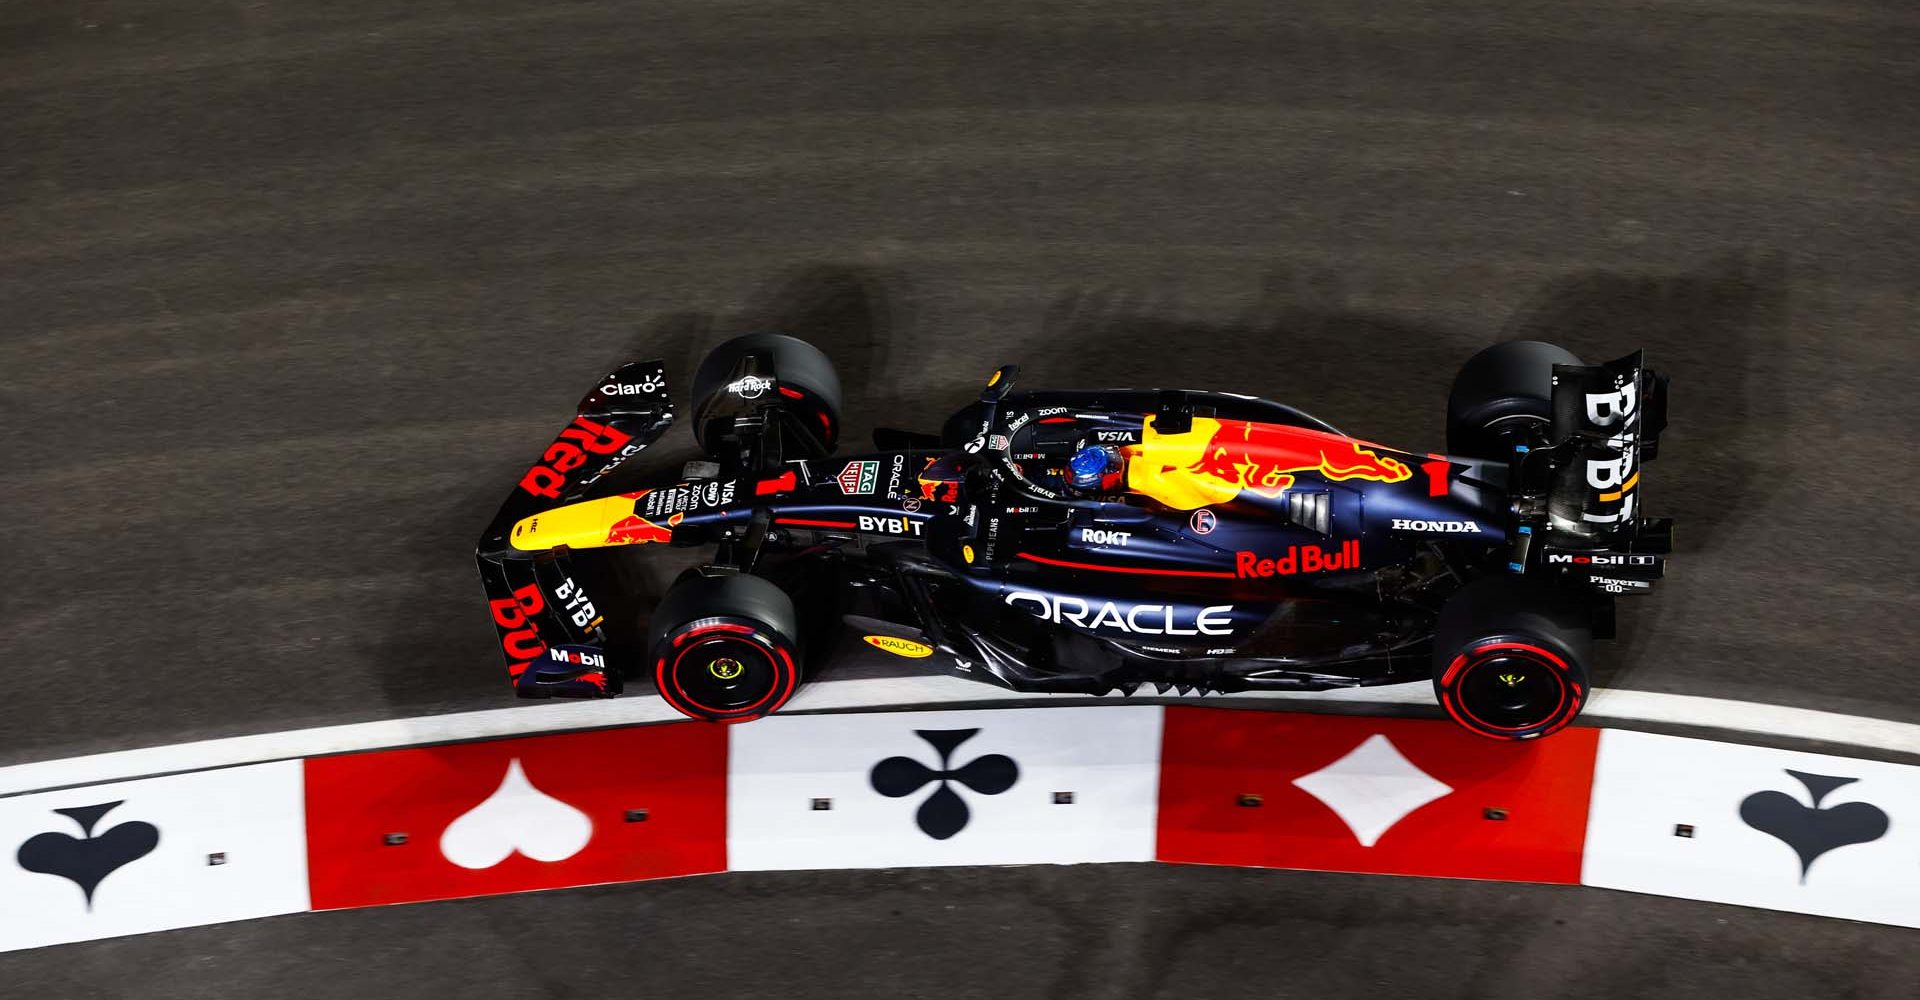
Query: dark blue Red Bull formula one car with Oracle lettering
[(1093, 542)]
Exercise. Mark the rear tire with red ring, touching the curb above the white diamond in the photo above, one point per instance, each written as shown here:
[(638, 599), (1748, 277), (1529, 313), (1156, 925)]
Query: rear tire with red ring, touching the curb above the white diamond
[(1512, 659)]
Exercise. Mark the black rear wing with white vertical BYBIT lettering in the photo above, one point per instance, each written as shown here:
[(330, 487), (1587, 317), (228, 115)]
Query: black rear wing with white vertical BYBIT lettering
[(1579, 498)]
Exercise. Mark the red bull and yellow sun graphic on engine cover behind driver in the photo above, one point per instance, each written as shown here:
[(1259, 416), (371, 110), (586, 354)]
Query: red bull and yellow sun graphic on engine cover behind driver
[(1218, 460)]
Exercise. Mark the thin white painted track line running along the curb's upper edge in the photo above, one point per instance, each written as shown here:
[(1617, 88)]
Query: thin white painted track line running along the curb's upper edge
[(1773, 721)]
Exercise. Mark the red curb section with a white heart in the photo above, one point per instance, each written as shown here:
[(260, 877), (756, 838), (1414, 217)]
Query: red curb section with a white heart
[(600, 807)]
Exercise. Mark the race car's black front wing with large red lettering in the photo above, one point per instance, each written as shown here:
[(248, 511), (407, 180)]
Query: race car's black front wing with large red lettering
[(550, 631)]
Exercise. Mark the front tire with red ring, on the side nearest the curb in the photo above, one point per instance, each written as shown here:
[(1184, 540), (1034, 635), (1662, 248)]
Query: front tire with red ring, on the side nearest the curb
[(725, 648)]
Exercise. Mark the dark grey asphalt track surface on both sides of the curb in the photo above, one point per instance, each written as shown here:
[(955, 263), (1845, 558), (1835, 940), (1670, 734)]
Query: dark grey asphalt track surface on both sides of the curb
[(291, 295)]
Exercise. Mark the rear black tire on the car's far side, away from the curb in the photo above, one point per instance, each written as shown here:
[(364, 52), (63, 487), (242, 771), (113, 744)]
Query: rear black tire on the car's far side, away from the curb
[(1502, 396)]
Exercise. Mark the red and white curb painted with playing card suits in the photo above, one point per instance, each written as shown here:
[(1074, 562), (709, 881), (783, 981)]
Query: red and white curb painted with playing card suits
[(940, 788)]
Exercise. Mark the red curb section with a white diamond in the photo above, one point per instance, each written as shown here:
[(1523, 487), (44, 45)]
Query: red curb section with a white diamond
[(1431, 798)]
